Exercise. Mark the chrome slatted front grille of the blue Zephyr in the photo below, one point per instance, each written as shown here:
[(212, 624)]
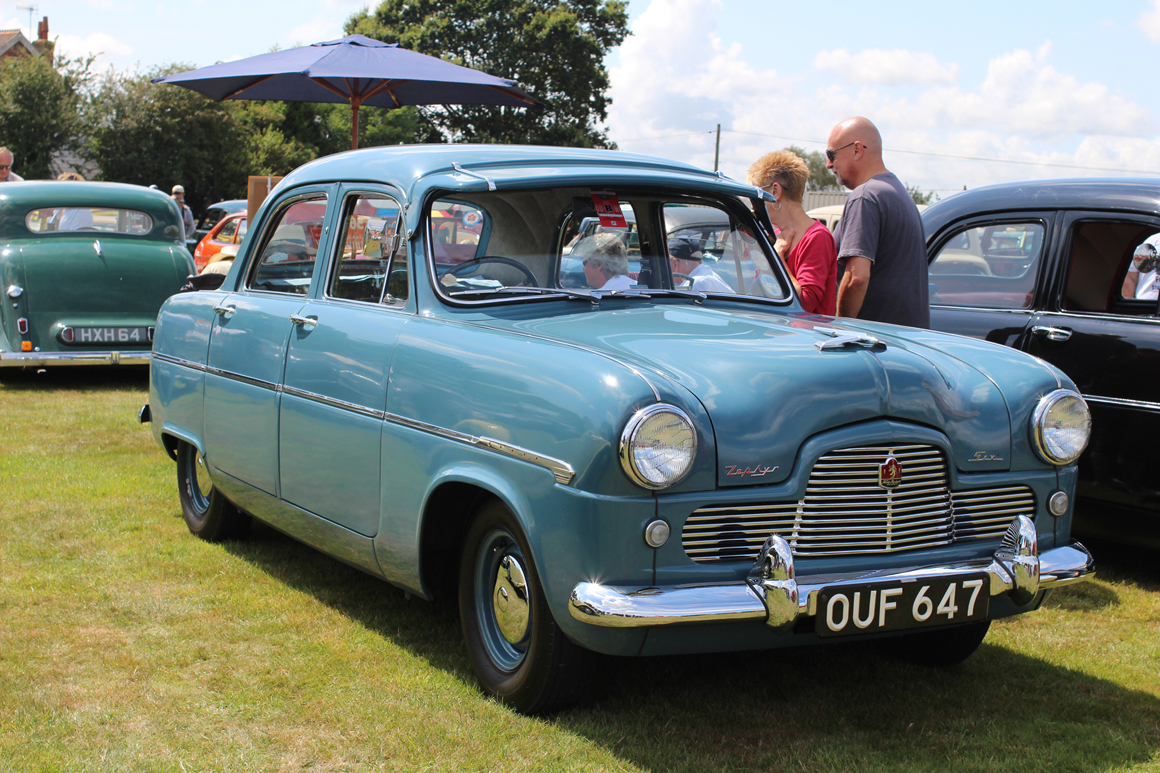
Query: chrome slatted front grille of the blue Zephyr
[(845, 511)]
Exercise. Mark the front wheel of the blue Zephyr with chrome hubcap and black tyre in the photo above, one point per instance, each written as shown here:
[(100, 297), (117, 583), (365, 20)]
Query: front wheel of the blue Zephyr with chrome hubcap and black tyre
[(542, 670)]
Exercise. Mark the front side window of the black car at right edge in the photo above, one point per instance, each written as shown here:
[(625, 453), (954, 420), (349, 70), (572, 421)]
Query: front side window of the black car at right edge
[(1100, 258)]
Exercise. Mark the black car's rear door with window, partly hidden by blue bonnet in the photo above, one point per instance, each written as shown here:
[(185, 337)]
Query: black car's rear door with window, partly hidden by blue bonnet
[(987, 276)]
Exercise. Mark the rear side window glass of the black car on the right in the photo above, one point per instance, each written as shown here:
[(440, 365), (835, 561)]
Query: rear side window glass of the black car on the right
[(992, 266)]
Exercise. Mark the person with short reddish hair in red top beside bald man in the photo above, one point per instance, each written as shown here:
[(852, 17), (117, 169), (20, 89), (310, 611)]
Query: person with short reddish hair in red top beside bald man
[(806, 244)]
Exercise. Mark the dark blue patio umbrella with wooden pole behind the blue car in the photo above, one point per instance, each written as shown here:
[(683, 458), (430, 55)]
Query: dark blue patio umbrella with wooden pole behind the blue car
[(358, 70)]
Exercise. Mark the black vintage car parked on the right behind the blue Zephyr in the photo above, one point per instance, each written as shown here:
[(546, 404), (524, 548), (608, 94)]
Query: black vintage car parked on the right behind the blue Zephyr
[(1041, 268)]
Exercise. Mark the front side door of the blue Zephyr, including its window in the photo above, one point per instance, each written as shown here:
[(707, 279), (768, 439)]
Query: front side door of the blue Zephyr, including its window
[(338, 359)]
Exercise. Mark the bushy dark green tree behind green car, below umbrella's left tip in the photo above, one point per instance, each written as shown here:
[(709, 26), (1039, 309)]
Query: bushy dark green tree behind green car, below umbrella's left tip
[(150, 134)]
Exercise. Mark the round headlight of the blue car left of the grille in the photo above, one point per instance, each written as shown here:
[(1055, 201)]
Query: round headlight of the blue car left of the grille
[(658, 446)]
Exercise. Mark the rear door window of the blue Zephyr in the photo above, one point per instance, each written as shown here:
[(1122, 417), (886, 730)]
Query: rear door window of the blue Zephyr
[(286, 262)]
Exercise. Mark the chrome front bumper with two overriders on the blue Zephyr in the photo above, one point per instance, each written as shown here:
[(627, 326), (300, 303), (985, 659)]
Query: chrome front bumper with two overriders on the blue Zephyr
[(774, 594)]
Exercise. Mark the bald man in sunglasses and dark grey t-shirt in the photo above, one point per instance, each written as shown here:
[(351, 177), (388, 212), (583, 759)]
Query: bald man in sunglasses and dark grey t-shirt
[(882, 254)]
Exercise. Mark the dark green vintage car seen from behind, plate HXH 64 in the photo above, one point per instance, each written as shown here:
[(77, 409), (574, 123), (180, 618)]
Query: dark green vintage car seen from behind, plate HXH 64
[(85, 268)]
